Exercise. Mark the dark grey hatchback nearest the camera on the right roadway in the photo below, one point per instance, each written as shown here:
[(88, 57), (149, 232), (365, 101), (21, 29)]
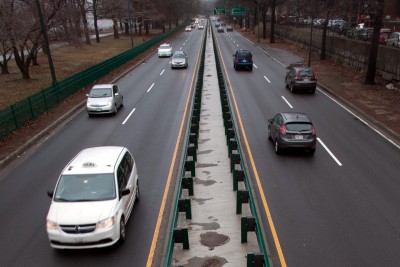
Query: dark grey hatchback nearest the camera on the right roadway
[(292, 130)]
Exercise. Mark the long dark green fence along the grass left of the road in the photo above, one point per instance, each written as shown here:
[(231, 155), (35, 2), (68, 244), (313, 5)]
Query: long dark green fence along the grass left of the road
[(17, 115)]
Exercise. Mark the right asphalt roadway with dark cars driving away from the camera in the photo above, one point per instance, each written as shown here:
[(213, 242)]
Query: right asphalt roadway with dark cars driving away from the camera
[(336, 208)]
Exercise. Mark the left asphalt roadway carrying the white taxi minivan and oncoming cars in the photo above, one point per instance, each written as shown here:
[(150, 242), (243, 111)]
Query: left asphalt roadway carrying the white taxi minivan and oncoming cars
[(155, 99)]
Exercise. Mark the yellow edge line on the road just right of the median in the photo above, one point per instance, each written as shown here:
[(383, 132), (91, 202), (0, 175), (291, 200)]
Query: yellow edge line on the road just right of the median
[(257, 177)]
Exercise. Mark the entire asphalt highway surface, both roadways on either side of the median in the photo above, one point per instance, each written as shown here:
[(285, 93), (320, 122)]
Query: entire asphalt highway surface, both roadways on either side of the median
[(336, 208)]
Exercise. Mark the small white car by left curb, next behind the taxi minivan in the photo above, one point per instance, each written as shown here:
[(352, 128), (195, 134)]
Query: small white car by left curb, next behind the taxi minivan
[(104, 99)]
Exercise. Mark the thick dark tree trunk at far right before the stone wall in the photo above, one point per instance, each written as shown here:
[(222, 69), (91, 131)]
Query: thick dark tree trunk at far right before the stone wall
[(373, 53)]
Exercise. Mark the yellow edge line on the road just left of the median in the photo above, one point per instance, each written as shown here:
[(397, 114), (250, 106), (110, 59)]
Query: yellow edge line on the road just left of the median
[(171, 170)]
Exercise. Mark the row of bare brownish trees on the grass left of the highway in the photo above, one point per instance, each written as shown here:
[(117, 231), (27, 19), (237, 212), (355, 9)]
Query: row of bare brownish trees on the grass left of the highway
[(21, 34)]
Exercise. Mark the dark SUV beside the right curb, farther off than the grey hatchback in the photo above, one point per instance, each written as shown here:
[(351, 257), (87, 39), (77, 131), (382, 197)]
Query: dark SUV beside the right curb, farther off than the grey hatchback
[(300, 78)]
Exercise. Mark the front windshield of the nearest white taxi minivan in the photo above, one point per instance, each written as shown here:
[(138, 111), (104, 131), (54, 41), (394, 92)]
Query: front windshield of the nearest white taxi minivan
[(85, 187)]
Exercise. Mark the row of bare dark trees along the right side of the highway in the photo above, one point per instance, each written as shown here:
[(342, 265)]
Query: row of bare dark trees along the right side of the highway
[(326, 9)]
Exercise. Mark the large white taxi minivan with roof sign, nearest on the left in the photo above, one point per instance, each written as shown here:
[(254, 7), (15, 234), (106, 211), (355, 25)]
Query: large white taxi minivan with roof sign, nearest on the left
[(93, 199)]
